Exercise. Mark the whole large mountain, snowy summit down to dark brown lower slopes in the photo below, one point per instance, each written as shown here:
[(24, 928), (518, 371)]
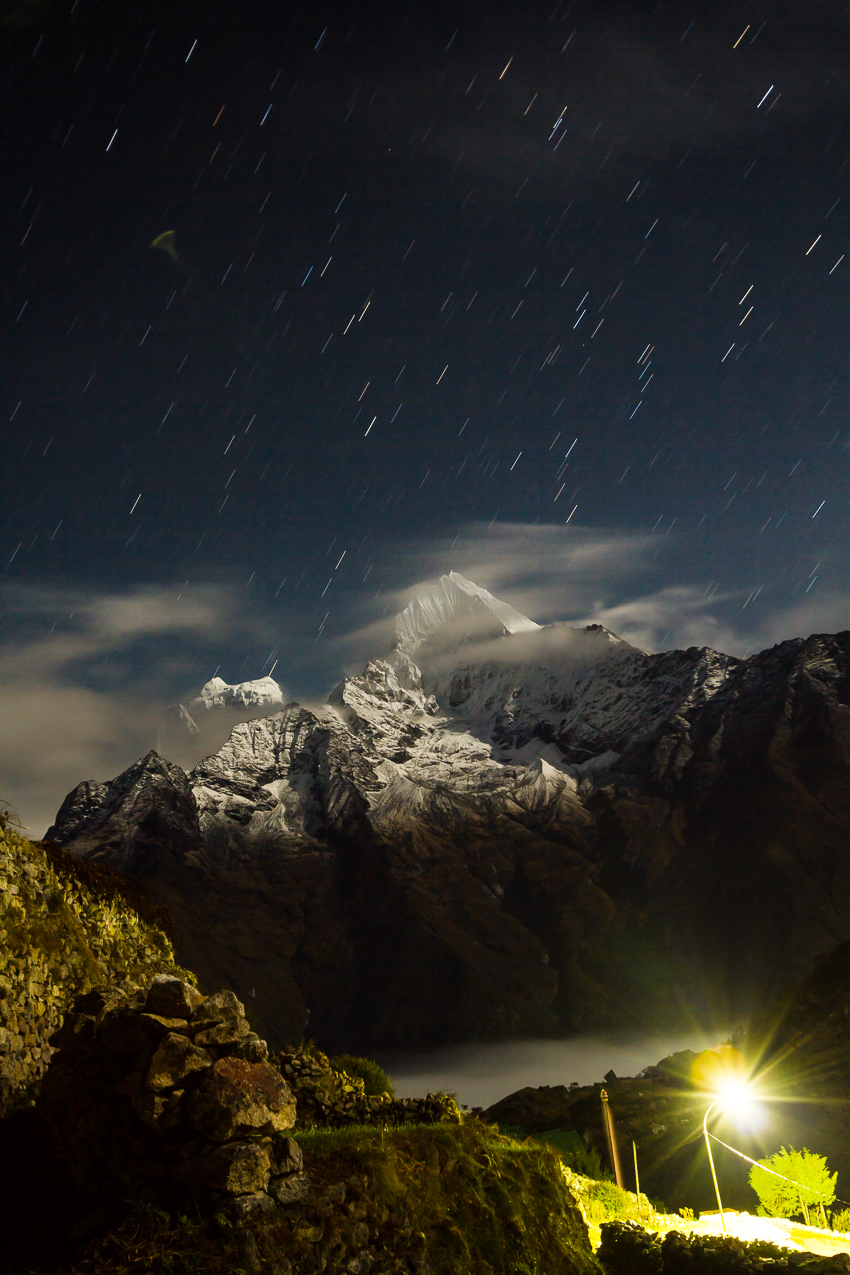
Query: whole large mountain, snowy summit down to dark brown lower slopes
[(505, 829)]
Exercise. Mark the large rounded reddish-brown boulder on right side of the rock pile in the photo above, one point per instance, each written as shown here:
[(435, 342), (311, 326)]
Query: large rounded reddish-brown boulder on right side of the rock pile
[(236, 1097)]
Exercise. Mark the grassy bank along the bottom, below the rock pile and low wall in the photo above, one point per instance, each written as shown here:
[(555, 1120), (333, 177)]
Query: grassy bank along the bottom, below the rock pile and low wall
[(472, 1202)]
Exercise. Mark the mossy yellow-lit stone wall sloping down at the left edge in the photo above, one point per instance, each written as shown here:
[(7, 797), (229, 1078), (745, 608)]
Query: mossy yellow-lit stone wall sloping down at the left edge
[(64, 929)]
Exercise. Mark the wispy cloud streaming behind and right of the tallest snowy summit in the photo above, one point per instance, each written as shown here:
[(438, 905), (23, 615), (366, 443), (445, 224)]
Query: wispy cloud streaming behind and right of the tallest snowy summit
[(596, 576)]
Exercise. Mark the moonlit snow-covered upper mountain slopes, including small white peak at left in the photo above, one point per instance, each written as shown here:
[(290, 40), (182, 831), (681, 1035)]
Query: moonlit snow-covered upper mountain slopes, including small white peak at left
[(541, 718)]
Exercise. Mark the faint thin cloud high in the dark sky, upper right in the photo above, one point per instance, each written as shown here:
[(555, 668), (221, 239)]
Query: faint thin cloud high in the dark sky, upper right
[(624, 92)]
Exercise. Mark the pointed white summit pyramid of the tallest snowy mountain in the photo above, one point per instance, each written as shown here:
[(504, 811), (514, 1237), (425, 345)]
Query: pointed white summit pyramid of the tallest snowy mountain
[(453, 611)]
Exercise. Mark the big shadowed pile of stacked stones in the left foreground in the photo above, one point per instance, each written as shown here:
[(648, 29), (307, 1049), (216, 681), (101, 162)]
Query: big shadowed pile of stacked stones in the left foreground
[(171, 1093)]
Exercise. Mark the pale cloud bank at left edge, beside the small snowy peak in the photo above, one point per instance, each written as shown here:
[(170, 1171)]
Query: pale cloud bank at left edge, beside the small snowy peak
[(87, 699)]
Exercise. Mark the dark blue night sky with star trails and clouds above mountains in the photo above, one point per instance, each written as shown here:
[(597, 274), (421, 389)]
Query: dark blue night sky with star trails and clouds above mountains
[(549, 294)]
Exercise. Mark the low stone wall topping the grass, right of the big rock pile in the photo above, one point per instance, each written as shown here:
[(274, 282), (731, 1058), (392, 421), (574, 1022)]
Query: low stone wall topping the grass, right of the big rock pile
[(332, 1100)]
